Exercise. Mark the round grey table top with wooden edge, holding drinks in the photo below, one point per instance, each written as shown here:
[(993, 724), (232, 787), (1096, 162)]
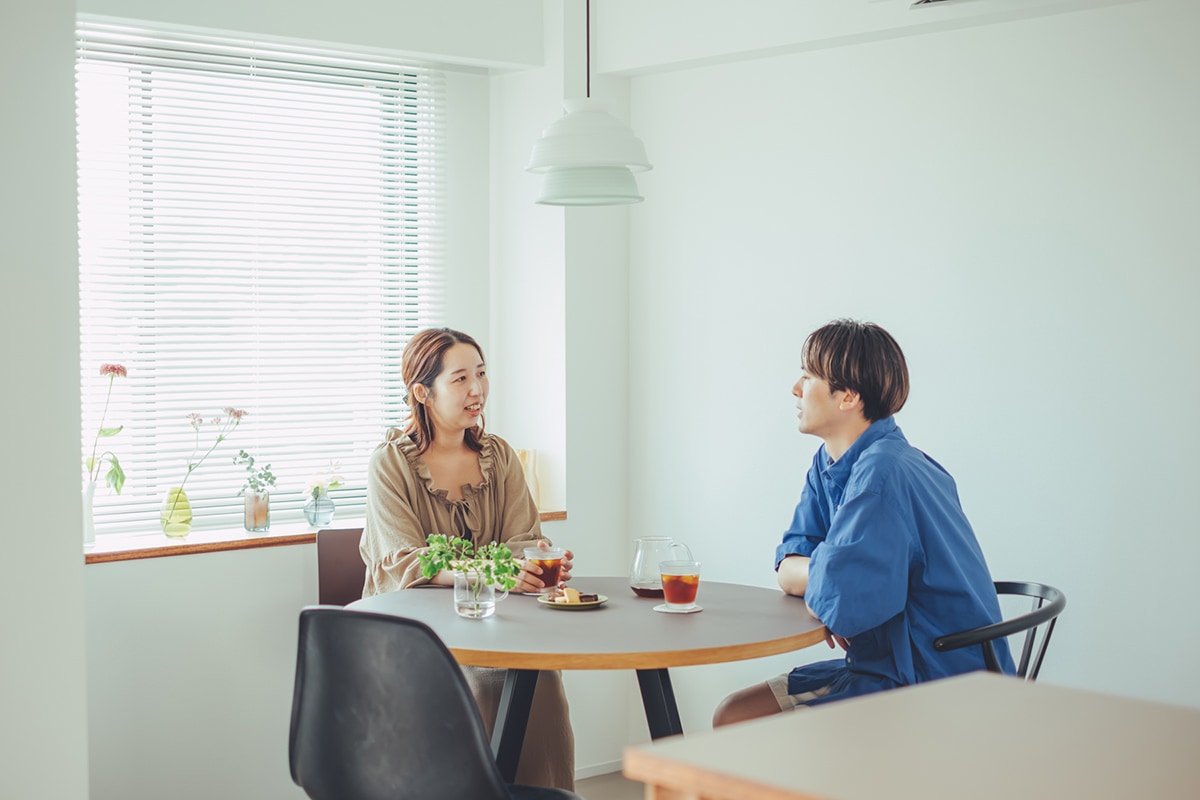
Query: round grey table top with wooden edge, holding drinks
[(737, 623)]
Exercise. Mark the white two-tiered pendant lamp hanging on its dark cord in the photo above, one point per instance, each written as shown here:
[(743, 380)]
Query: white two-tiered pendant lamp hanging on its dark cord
[(589, 157)]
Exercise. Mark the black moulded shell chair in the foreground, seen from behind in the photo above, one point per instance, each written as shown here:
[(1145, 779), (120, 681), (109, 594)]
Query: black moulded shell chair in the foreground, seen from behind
[(382, 712)]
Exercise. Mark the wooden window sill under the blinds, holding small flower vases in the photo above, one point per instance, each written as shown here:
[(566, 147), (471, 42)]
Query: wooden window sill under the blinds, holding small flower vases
[(152, 546)]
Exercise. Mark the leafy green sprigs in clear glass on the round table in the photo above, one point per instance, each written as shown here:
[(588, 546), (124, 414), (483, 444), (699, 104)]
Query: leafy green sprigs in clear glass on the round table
[(479, 574)]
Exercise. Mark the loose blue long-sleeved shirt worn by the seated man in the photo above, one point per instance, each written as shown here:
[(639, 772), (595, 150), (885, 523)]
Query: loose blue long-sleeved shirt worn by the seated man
[(895, 566)]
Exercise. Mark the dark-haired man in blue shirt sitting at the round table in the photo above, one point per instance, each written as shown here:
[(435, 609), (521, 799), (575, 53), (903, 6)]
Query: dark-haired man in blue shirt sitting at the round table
[(879, 546)]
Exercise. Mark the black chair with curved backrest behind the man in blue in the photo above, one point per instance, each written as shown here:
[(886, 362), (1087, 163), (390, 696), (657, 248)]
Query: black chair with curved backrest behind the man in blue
[(1048, 604)]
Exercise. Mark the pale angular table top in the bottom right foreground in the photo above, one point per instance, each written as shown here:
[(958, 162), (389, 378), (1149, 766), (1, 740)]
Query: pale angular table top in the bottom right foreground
[(982, 736)]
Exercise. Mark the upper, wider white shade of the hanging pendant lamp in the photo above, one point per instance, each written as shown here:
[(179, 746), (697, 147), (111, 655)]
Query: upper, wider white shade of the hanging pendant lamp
[(587, 136)]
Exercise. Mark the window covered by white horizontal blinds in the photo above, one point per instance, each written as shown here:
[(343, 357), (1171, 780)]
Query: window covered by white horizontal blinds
[(259, 230)]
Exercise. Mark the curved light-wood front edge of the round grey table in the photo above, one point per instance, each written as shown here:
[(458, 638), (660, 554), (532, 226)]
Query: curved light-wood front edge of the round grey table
[(661, 660)]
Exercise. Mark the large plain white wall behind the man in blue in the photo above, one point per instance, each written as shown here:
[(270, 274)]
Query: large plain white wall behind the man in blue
[(1017, 204)]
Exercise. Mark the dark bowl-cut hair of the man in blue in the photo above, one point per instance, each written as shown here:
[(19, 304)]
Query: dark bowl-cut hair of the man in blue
[(862, 358)]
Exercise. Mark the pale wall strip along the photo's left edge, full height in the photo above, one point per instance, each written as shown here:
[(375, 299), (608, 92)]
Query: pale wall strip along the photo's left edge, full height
[(43, 703)]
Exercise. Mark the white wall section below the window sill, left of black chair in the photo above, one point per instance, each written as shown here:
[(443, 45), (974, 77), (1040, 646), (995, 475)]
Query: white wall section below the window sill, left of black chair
[(190, 670)]
